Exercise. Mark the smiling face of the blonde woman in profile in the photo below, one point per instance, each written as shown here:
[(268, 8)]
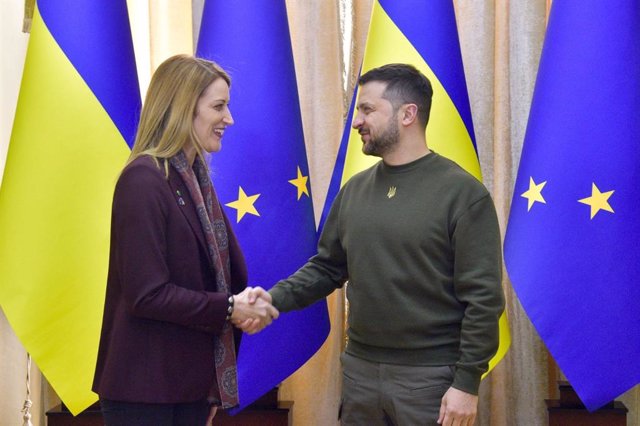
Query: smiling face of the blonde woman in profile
[(212, 115)]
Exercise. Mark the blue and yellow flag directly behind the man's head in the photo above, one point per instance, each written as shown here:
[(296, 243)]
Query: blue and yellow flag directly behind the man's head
[(423, 34)]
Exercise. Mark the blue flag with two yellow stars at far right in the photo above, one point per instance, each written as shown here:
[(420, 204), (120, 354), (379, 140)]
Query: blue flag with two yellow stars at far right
[(571, 247)]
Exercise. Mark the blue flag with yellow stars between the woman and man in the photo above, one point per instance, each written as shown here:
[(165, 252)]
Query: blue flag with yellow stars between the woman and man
[(262, 178)]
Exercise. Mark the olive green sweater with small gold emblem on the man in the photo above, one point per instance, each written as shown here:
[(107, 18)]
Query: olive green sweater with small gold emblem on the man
[(420, 246)]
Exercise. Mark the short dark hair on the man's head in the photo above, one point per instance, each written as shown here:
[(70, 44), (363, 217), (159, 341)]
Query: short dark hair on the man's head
[(405, 85)]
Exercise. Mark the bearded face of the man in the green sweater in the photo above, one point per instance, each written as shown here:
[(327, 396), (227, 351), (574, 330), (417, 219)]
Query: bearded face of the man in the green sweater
[(376, 120)]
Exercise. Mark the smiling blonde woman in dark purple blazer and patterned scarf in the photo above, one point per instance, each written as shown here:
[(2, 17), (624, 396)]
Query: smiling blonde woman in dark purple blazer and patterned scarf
[(167, 349)]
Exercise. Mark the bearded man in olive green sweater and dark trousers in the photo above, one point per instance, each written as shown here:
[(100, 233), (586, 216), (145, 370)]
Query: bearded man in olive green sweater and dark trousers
[(417, 237)]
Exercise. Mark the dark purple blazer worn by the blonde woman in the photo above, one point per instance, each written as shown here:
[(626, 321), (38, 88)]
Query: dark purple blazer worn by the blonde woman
[(161, 308)]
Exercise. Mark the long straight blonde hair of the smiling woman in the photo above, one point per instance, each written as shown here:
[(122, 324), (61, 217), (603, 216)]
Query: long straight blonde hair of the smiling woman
[(166, 120)]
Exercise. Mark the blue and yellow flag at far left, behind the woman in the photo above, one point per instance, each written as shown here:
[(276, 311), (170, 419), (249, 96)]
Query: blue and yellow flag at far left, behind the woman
[(77, 109)]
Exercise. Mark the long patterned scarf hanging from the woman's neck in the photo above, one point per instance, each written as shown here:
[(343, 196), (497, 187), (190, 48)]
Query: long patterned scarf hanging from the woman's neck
[(210, 214)]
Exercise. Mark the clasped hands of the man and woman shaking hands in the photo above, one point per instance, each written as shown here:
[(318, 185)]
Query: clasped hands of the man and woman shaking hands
[(252, 310)]
